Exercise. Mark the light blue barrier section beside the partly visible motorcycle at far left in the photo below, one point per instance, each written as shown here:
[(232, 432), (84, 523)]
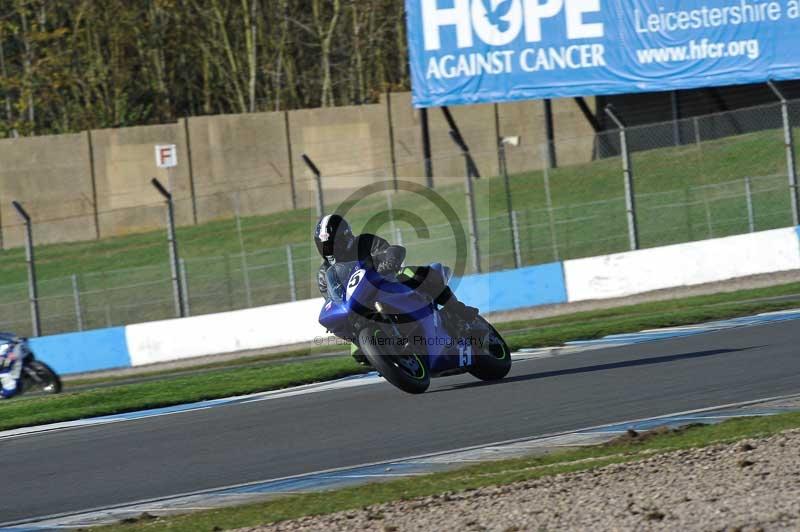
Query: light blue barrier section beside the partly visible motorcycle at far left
[(83, 351)]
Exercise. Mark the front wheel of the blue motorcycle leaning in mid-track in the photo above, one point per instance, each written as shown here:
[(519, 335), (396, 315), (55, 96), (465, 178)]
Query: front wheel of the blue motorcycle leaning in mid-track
[(405, 370)]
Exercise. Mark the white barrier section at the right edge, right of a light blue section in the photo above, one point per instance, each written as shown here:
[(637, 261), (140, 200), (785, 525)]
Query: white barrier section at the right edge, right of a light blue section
[(707, 261)]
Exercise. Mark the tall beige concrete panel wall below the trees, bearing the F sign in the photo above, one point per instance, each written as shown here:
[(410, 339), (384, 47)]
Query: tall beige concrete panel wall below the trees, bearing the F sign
[(57, 178)]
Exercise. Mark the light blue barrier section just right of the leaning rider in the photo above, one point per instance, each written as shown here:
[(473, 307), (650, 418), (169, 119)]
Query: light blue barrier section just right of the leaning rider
[(513, 289)]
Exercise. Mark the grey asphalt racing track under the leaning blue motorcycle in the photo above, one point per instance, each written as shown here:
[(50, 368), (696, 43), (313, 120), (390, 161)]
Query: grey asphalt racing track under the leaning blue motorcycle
[(82, 468)]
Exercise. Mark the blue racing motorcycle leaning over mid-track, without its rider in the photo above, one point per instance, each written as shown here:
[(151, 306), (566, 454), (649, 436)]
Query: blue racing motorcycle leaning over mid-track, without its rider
[(402, 333)]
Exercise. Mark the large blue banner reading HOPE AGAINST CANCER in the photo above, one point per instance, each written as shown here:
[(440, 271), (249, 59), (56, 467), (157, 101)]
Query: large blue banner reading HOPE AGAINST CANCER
[(478, 51)]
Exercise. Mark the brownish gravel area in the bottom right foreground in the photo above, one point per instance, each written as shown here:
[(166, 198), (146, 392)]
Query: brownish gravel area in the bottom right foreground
[(748, 486)]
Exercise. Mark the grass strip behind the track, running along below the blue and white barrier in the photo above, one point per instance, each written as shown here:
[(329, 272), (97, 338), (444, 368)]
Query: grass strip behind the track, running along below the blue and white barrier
[(176, 388)]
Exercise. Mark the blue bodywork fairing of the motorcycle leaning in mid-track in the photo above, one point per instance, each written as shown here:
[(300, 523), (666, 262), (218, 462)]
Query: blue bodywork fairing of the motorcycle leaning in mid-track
[(440, 350)]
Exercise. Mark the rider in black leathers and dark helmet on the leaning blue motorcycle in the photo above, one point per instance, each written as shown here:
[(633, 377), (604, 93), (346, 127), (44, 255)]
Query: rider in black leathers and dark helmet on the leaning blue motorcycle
[(335, 242)]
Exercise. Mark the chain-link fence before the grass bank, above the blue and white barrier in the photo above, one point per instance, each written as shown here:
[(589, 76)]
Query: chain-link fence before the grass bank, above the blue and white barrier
[(692, 179)]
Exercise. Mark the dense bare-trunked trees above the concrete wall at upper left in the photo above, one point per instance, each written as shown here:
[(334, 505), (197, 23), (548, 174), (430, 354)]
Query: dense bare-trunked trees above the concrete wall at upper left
[(71, 65)]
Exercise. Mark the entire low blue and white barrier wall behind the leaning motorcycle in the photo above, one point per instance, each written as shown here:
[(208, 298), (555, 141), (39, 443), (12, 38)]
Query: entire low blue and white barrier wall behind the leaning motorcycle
[(609, 276)]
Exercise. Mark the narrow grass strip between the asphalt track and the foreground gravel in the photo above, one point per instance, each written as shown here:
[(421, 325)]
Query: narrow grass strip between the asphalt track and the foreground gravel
[(473, 477)]
